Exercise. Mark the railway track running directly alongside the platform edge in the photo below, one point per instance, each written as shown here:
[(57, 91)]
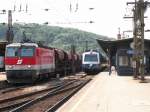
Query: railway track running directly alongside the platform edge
[(52, 100)]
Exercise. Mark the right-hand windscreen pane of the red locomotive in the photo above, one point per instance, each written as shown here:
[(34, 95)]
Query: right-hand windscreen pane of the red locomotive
[(27, 51)]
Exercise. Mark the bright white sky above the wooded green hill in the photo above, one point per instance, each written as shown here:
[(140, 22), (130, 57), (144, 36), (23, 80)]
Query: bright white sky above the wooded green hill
[(107, 14)]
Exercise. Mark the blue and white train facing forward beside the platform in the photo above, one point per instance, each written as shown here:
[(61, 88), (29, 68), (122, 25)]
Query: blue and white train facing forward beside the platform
[(91, 62)]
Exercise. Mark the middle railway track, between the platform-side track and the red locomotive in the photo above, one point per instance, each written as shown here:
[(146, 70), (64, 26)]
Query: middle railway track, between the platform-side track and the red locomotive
[(14, 98)]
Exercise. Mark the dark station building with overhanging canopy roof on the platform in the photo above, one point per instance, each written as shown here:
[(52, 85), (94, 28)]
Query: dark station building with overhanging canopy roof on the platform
[(120, 53)]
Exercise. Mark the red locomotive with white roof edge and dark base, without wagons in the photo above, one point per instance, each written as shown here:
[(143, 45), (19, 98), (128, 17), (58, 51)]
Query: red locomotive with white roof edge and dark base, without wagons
[(25, 62)]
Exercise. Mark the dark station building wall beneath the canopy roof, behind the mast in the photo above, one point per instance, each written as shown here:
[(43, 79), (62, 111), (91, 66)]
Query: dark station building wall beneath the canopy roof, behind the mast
[(124, 59)]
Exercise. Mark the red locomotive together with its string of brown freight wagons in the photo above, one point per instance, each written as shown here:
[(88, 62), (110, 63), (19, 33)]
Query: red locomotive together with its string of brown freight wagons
[(28, 62)]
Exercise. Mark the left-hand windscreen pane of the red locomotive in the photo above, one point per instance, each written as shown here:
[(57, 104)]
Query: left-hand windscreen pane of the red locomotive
[(12, 52)]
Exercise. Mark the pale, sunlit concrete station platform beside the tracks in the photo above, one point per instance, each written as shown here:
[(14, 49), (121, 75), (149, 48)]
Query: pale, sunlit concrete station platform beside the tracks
[(111, 94)]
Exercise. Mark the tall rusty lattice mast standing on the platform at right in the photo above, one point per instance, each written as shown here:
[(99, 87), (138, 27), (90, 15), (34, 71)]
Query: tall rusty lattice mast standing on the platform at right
[(138, 36)]
